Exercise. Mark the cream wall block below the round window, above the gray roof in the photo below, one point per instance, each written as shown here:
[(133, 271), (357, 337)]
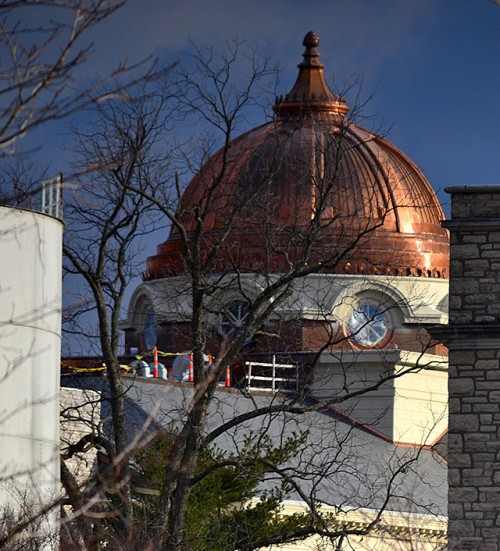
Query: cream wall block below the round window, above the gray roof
[(408, 409)]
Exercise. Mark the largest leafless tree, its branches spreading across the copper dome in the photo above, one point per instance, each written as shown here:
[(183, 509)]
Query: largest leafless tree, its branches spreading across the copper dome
[(140, 178)]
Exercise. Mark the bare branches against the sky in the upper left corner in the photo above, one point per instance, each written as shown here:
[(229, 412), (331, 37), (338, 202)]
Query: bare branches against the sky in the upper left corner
[(41, 44)]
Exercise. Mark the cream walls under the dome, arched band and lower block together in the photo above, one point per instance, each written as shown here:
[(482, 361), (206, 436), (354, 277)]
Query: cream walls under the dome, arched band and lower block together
[(409, 409)]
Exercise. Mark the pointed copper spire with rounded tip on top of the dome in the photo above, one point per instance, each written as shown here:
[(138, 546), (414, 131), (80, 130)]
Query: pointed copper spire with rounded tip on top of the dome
[(310, 93)]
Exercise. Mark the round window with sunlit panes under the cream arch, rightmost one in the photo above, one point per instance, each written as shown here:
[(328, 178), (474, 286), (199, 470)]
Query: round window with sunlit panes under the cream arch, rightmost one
[(368, 325)]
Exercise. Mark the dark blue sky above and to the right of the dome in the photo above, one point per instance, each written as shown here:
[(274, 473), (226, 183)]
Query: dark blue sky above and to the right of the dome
[(432, 65)]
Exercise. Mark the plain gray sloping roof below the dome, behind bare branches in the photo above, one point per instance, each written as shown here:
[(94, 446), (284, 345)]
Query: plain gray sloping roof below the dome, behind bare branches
[(341, 465)]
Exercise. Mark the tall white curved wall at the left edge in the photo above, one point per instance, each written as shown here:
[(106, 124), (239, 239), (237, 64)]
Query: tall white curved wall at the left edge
[(30, 343)]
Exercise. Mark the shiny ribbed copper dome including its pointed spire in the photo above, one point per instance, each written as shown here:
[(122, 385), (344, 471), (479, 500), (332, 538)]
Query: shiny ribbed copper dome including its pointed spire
[(312, 172)]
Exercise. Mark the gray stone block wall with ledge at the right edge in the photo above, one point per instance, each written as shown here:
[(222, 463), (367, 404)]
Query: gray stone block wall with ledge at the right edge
[(473, 339)]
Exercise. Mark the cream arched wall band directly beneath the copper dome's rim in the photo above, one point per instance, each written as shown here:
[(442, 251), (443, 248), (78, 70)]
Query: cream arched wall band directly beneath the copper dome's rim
[(317, 296)]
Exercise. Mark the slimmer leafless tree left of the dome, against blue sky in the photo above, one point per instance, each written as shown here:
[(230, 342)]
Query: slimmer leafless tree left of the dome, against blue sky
[(107, 225)]
